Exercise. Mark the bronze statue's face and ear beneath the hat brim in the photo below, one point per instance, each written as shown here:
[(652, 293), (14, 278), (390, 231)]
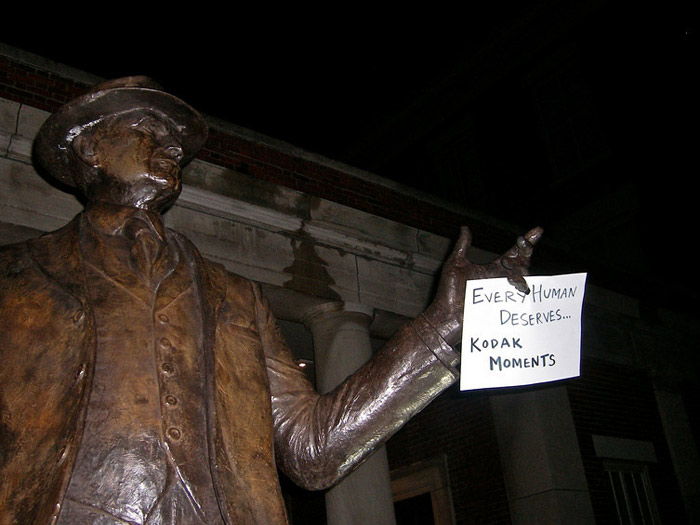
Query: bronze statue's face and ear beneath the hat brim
[(137, 156)]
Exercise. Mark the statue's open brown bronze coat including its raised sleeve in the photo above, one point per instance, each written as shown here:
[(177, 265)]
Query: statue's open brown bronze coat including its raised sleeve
[(262, 412)]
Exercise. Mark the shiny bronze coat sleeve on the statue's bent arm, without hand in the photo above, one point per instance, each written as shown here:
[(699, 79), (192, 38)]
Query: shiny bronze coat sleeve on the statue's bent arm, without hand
[(319, 439)]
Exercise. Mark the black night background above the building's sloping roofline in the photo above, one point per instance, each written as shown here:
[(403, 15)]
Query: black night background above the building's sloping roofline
[(580, 117)]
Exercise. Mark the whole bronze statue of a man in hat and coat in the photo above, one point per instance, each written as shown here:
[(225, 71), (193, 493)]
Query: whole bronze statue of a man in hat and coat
[(140, 383)]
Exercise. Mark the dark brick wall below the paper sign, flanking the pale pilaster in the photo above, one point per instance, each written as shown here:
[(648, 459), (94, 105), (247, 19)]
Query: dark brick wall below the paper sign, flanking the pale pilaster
[(608, 399)]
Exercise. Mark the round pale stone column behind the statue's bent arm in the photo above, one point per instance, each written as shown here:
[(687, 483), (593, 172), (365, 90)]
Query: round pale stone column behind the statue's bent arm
[(341, 345)]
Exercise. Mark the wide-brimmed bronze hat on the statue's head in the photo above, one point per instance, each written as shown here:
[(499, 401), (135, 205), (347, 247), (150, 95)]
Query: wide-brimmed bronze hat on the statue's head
[(52, 143)]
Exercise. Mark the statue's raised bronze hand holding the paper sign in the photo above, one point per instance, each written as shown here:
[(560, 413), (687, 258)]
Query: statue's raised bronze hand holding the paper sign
[(446, 312)]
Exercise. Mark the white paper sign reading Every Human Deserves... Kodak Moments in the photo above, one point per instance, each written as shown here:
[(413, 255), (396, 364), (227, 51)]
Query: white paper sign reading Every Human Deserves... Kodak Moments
[(512, 339)]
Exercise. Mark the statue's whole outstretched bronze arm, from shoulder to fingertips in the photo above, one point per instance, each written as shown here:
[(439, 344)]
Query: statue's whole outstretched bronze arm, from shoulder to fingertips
[(321, 438)]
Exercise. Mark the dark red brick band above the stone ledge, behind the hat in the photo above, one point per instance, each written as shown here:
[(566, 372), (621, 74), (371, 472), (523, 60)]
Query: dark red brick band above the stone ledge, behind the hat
[(47, 90)]
